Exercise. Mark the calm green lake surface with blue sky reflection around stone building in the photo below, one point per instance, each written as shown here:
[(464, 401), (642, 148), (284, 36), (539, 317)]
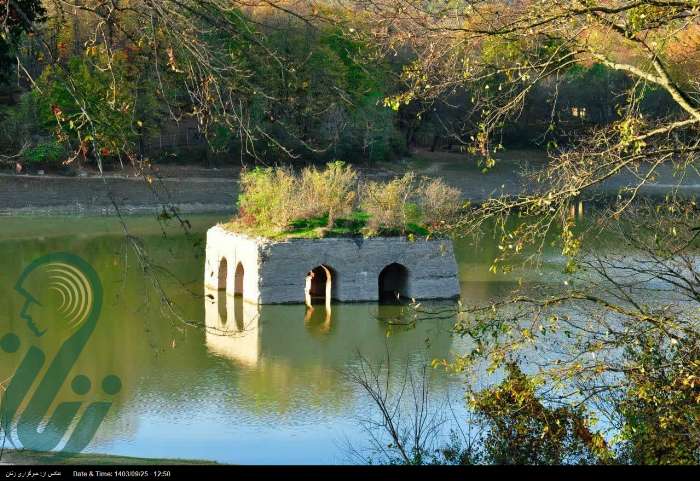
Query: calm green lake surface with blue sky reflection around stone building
[(277, 394)]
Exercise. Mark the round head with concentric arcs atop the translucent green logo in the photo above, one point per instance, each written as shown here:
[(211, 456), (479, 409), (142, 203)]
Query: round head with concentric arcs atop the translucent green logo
[(58, 298)]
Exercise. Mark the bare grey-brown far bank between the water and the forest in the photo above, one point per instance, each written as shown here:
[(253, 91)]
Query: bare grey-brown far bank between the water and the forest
[(191, 189)]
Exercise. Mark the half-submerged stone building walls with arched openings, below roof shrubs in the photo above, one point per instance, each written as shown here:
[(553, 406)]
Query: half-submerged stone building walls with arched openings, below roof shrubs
[(265, 271)]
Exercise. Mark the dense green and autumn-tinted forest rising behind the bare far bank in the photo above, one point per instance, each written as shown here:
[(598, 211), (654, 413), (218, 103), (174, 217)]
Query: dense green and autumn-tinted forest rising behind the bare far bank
[(123, 81)]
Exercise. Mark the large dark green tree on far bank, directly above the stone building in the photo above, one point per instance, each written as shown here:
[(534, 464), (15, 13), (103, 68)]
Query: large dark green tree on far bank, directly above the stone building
[(332, 91)]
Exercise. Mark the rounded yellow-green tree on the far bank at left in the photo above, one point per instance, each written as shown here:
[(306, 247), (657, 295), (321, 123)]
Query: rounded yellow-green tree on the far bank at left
[(99, 103)]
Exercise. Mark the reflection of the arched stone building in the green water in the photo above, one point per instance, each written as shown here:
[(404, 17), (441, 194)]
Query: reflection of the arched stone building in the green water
[(296, 335)]
